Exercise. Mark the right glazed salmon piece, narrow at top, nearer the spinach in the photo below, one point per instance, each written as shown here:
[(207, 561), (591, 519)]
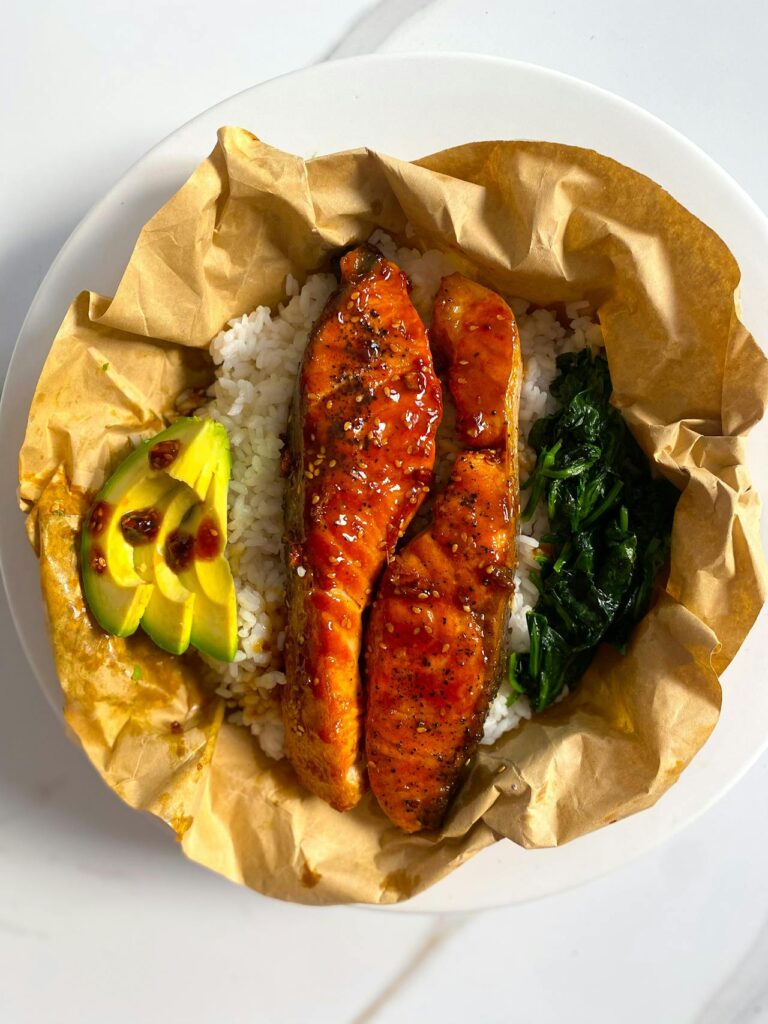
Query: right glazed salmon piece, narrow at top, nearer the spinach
[(437, 645)]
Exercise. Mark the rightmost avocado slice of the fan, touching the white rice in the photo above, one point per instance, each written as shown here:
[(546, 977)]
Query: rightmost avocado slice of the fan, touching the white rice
[(203, 569)]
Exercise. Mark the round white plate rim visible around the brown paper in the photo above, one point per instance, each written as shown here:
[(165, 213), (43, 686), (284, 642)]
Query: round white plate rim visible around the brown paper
[(411, 106)]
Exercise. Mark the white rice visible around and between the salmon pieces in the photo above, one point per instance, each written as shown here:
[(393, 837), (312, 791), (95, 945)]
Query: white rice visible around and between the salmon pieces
[(258, 359)]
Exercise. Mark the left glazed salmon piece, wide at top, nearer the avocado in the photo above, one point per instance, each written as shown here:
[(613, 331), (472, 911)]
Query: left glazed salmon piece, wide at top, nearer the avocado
[(364, 420)]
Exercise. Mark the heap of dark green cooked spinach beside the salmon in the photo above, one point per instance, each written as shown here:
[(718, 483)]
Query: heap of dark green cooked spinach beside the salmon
[(610, 531)]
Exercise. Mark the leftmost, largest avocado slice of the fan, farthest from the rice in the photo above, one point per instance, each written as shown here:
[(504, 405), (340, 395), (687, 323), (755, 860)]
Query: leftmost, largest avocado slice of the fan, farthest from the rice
[(188, 454)]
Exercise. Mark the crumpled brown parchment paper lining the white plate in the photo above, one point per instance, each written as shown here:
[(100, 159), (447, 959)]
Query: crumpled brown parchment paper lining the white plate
[(549, 223)]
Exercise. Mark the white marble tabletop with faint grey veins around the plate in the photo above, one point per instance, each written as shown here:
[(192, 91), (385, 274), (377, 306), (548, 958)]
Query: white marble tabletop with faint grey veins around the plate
[(100, 917)]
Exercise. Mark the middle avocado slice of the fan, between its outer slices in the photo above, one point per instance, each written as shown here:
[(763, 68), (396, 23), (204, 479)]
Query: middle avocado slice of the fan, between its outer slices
[(167, 618)]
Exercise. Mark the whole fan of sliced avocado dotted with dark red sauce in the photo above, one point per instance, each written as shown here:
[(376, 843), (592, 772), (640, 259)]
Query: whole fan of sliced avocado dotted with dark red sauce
[(169, 496)]
